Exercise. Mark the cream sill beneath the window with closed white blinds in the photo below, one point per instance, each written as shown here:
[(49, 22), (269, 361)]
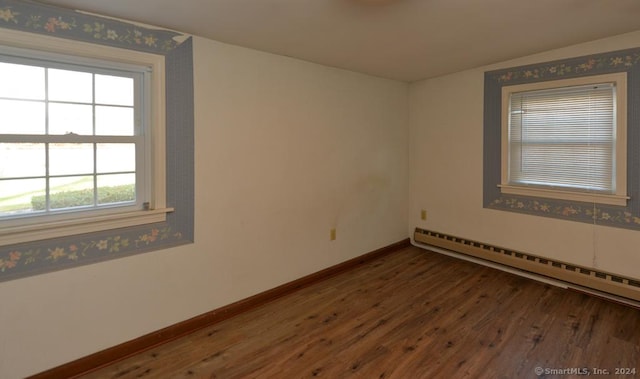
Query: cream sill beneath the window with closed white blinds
[(619, 200)]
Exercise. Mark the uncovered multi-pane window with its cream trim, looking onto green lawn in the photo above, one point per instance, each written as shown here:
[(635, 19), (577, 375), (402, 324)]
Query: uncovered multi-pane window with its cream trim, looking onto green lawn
[(81, 140)]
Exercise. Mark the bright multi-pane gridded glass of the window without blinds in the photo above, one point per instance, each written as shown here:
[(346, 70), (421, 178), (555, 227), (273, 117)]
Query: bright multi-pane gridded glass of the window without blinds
[(87, 149)]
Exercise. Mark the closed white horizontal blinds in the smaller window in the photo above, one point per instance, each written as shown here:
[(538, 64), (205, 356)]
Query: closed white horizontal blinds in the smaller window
[(563, 138)]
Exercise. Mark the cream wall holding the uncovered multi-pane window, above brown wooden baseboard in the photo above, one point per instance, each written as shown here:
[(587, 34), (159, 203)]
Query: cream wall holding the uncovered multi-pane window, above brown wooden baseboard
[(285, 151)]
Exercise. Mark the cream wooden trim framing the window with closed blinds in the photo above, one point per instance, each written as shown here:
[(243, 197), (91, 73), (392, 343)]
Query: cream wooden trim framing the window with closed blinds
[(620, 197)]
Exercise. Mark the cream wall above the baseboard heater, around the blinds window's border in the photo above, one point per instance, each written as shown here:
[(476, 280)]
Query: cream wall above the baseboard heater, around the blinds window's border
[(446, 154)]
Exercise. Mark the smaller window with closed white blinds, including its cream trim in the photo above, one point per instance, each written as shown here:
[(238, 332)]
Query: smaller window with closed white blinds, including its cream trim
[(565, 139)]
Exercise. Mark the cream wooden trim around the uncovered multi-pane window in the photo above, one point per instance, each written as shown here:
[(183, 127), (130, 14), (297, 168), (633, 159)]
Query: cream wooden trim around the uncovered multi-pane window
[(156, 101)]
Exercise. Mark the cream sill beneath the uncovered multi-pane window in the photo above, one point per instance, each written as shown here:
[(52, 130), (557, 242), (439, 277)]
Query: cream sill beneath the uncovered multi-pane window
[(29, 233)]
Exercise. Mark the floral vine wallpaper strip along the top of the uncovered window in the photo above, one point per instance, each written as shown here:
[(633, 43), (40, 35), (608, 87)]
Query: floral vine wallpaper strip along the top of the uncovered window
[(66, 23)]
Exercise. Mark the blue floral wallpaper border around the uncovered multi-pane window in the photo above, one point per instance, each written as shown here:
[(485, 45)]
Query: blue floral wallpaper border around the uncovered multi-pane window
[(37, 257)]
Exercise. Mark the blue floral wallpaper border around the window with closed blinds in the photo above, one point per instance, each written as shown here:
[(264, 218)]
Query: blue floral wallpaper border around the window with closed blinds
[(614, 216)]
